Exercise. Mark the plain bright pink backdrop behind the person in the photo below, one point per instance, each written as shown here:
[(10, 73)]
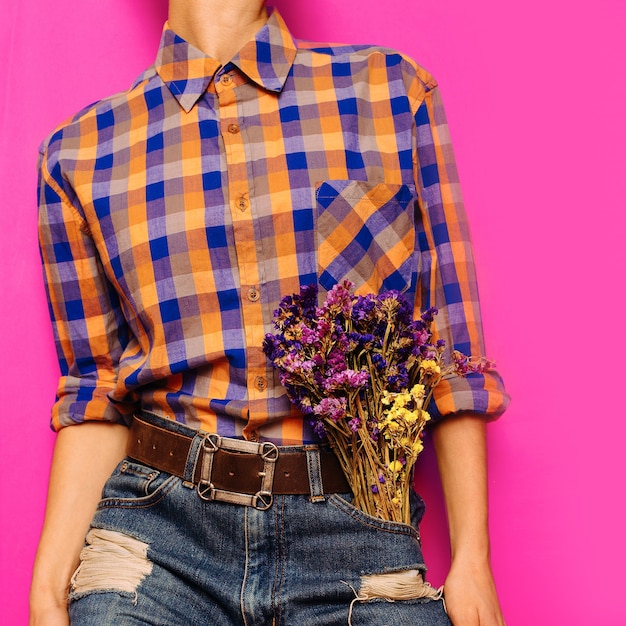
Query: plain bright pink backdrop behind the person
[(535, 97)]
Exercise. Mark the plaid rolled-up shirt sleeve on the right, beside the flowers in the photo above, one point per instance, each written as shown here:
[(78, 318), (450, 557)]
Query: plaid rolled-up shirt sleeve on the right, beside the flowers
[(447, 271)]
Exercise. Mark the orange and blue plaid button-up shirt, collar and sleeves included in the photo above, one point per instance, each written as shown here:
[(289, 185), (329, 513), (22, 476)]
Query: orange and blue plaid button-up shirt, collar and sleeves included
[(174, 217)]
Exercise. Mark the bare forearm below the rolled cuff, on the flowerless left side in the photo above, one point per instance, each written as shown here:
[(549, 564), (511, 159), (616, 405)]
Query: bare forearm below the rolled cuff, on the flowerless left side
[(84, 457)]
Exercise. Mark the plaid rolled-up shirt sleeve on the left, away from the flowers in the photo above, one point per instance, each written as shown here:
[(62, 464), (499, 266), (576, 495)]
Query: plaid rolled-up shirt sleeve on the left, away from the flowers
[(88, 325)]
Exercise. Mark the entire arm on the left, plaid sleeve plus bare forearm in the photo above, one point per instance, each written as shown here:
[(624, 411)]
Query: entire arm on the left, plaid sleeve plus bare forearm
[(91, 334)]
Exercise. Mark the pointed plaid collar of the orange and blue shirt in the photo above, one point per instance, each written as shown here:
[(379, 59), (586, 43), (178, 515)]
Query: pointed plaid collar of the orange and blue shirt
[(187, 72)]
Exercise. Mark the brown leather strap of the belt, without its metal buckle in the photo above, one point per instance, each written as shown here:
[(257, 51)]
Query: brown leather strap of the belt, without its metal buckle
[(167, 451)]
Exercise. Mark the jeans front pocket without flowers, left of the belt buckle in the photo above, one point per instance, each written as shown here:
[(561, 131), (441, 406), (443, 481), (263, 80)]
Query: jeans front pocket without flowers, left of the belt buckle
[(134, 484)]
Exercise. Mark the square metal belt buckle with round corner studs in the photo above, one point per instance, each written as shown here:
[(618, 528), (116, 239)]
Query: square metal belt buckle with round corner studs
[(263, 498)]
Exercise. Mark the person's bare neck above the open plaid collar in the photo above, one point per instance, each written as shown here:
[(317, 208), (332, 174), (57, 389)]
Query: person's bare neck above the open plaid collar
[(219, 28)]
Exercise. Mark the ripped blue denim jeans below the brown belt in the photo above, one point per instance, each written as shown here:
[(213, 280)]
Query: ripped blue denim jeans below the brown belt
[(158, 554)]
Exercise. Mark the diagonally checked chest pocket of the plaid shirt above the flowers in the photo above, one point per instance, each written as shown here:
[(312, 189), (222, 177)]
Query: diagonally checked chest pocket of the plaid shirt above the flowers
[(366, 234)]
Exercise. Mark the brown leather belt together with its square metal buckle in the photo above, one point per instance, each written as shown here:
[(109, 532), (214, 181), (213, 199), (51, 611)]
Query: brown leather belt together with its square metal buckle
[(247, 472)]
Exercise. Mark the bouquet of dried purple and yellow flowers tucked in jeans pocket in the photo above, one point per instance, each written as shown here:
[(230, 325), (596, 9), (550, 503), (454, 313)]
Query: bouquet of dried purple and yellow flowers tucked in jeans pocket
[(364, 371)]
